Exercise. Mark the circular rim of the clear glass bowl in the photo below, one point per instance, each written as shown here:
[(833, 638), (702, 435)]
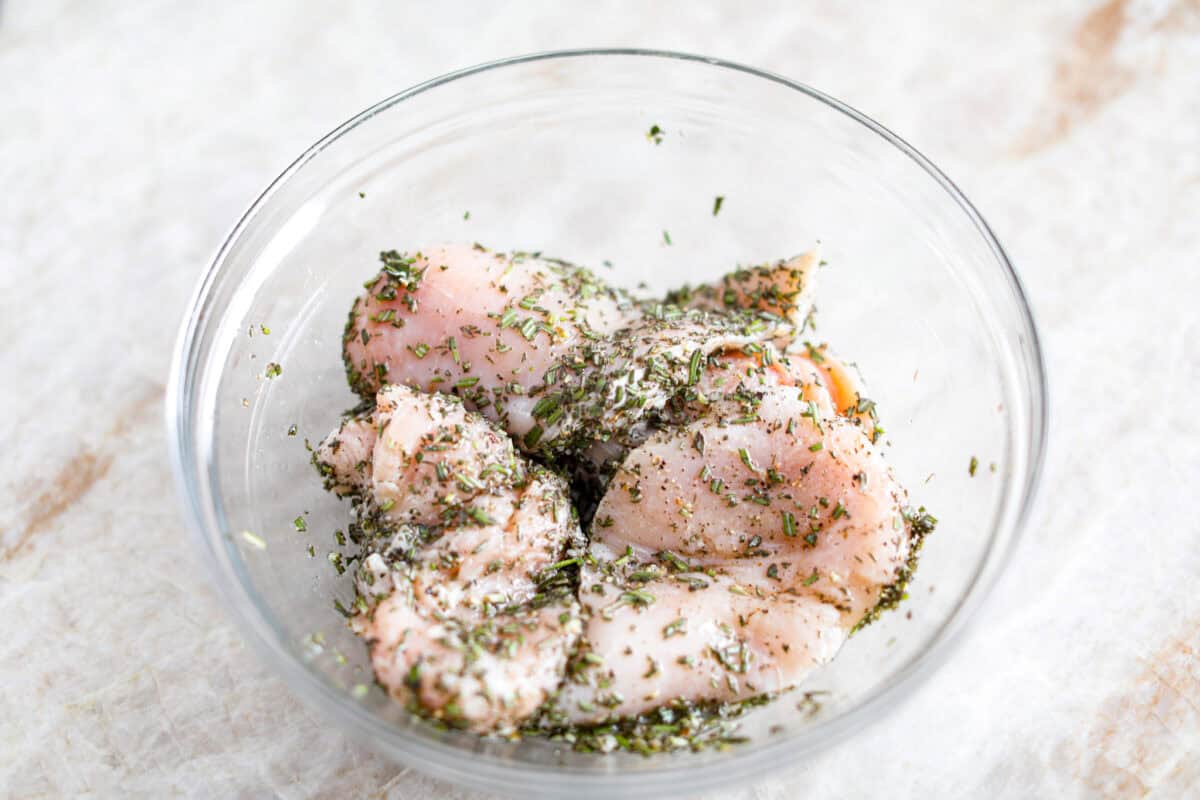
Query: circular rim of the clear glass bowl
[(488, 774)]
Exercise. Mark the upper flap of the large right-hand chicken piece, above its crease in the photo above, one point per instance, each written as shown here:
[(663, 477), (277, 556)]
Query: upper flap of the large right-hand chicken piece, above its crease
[(787, 489)]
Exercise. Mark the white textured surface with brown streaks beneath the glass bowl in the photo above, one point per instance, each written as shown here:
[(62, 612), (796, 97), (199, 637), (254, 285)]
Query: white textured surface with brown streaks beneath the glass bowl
[(133, 135)]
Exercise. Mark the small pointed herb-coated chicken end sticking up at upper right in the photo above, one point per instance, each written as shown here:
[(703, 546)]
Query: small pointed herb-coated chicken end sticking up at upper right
[(783, 290)]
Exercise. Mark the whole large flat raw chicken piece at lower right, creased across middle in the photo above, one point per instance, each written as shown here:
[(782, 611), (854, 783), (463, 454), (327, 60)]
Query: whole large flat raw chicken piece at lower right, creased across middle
[(785, 525)]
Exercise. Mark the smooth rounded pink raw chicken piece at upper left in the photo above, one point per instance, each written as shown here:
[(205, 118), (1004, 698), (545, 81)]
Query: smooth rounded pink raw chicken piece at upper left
[(483, 326)]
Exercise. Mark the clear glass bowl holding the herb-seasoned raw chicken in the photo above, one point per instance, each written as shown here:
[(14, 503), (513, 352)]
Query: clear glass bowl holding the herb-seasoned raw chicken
[(551, 153)]
